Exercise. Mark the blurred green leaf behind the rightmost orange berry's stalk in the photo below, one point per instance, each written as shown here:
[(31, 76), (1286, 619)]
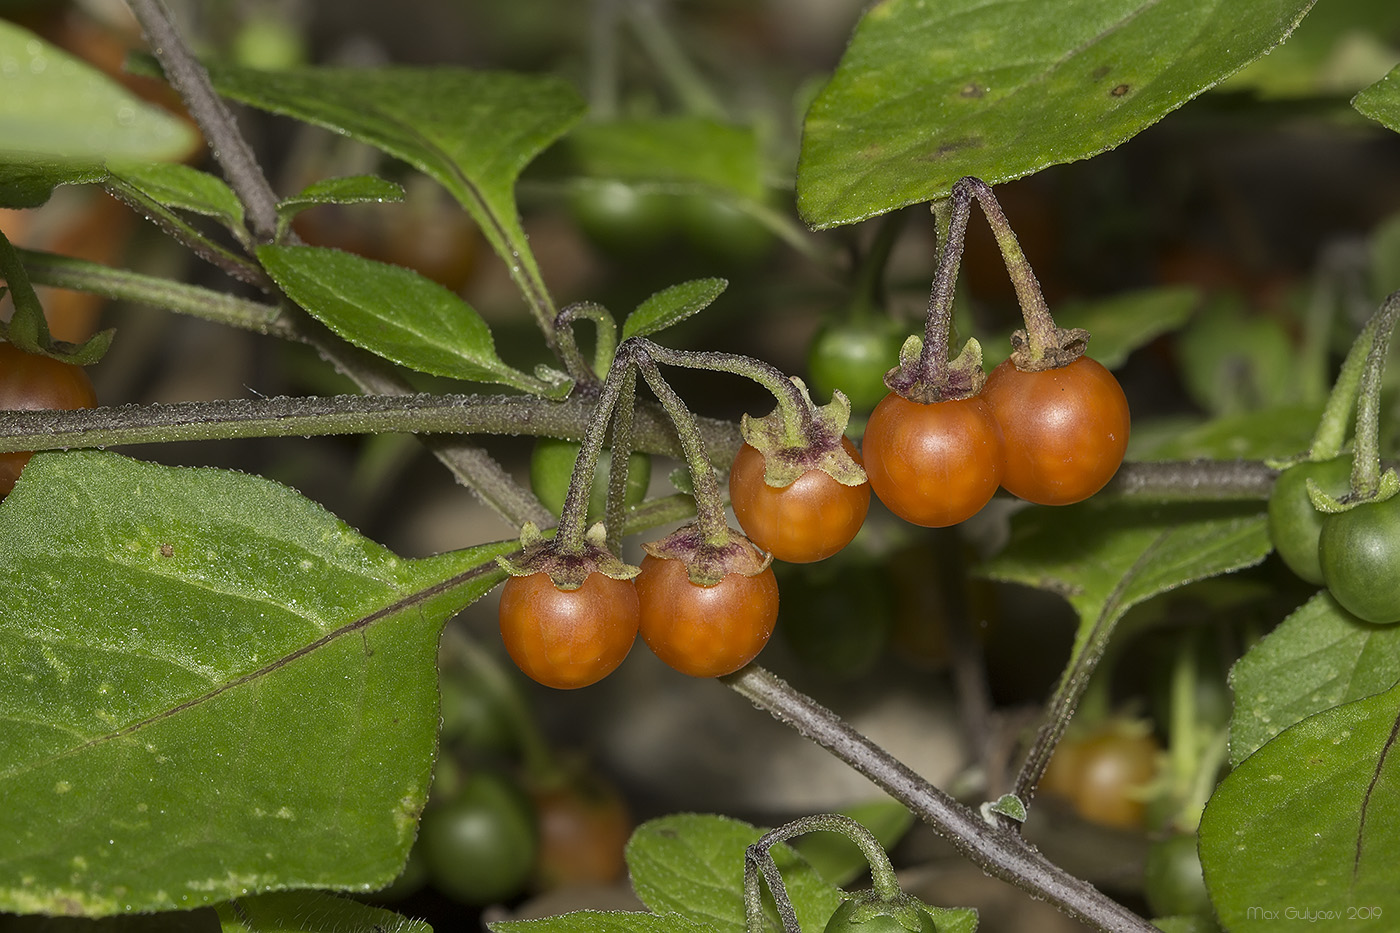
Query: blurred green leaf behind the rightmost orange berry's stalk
[(1119, 326)]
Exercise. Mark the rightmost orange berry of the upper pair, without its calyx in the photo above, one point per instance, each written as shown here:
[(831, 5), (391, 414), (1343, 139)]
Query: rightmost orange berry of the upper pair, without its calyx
[(1066, 429)]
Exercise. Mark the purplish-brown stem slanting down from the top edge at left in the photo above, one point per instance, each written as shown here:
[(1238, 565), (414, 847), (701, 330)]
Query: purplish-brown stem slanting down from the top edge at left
[(233, 153)]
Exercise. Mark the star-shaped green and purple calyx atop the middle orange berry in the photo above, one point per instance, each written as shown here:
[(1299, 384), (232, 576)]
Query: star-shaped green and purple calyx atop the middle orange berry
[(815, 446)]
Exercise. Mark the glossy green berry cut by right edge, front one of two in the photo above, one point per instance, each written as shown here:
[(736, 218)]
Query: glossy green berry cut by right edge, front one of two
[(1360, 555)]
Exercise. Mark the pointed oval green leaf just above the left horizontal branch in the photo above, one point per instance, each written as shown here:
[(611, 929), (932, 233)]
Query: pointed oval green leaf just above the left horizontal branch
[(394, 313)]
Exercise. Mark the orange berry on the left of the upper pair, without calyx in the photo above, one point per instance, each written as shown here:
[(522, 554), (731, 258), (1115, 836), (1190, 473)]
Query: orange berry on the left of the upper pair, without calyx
[(933, 464)]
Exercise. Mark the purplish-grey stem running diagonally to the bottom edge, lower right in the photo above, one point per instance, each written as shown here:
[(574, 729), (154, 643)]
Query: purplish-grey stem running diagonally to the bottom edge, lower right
[(996, 851)]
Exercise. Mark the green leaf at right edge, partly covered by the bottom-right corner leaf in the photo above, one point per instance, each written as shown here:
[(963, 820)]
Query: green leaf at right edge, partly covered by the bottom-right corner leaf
[(1318, 658)]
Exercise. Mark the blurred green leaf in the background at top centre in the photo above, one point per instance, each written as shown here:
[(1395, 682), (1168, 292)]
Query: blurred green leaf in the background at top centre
[(670, 152)]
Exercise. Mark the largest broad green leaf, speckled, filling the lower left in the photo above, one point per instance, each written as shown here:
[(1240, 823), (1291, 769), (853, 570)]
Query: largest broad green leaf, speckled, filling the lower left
[(212, 689)]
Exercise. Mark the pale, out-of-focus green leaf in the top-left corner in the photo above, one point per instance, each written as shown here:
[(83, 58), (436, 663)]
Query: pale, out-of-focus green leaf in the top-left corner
[(58, 107)]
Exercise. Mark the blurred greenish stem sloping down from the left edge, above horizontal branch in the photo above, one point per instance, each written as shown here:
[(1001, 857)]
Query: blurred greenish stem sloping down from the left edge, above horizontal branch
[(80, 275)]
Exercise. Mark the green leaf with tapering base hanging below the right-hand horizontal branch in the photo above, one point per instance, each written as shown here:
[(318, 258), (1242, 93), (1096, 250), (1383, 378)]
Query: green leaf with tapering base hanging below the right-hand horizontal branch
[(1107, 560)]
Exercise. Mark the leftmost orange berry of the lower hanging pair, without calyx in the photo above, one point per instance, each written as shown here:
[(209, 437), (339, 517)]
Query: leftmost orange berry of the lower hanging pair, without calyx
[(569, 638)]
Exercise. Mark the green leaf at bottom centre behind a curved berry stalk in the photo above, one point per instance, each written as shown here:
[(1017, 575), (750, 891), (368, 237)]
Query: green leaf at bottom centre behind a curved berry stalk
[(694, 865)]
